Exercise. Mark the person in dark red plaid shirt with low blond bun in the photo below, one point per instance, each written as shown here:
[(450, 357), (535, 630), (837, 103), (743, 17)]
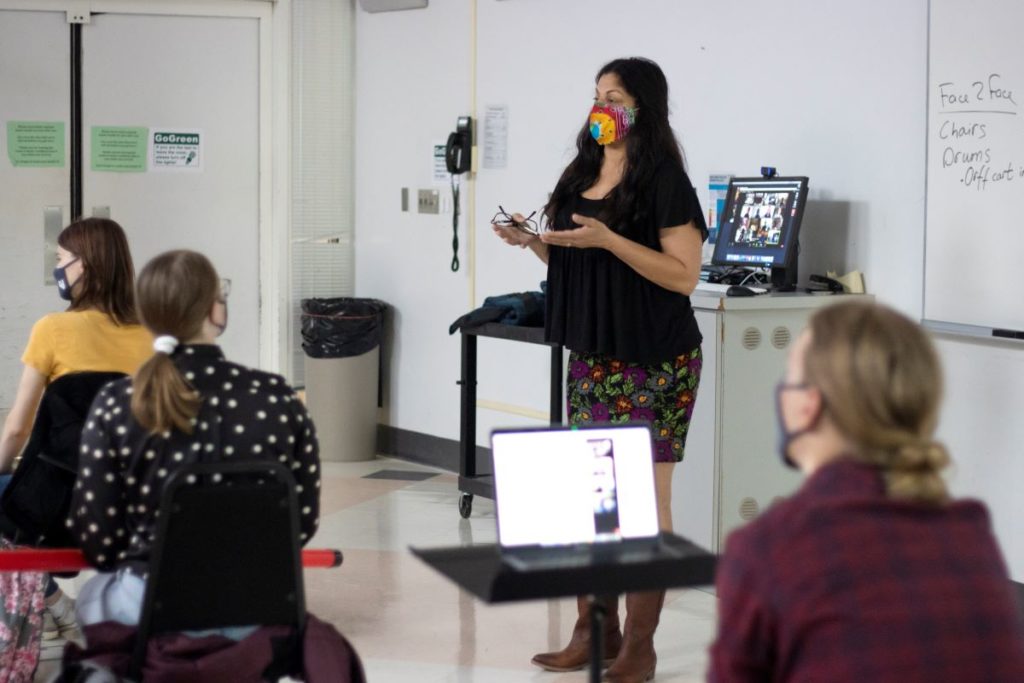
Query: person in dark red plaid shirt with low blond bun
[(870, 572)]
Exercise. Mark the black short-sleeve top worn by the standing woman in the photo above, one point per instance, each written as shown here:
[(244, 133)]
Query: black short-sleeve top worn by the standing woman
[(596, 304)]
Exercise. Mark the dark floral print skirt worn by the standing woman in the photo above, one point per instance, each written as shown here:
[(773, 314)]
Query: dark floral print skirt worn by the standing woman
[(661, 395)]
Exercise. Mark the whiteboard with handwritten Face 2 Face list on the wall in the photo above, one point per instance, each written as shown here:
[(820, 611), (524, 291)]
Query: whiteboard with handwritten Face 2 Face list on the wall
[(975, 181)]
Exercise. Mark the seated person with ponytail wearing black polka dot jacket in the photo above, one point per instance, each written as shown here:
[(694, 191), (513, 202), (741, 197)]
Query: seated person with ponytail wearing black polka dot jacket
[(188, 404)]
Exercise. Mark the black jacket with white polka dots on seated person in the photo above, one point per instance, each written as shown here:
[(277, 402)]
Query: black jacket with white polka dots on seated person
[(122, 467)]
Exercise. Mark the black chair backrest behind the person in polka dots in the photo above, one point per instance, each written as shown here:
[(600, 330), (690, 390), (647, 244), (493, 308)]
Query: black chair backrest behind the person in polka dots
[(227, 552)]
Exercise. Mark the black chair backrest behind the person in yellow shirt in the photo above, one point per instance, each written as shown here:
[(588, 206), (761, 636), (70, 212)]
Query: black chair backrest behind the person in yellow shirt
[(38, 499)]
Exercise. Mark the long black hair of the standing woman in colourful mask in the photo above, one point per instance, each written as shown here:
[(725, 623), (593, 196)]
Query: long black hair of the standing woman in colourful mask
[(650, 144)]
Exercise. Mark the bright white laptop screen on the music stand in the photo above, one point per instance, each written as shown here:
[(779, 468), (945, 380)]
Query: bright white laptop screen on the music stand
[(565, 487)]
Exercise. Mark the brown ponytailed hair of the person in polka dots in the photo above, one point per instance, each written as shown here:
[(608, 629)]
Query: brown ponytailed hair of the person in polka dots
[(177, 292)]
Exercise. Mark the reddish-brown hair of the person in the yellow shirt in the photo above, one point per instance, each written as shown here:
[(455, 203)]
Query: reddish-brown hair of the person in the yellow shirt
[(108, 274)]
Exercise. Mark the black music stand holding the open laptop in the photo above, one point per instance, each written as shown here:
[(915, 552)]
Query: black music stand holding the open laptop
[(480, 570)]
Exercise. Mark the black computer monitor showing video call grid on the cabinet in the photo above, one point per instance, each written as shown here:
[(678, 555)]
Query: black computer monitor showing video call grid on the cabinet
[(760, 227)]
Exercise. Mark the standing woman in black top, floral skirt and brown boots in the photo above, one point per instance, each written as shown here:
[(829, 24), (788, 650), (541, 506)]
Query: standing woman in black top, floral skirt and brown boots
[(624, 254)]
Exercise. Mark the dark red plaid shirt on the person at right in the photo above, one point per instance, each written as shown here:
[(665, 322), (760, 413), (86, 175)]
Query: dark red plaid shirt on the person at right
[(840, 583)]
